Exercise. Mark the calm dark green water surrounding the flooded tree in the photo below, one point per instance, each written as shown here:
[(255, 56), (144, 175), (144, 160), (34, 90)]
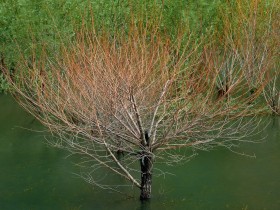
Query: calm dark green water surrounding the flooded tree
[(35, 176)]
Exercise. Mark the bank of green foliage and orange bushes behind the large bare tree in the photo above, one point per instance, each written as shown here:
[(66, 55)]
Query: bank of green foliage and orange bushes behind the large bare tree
[(241, 33)]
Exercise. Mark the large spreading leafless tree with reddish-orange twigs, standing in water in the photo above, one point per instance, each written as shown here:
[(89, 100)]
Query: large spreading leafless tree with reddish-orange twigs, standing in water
[(133, 98)]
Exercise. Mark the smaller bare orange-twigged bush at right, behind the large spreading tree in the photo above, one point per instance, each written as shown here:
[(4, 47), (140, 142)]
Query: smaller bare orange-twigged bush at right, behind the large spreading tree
[(251, 46)]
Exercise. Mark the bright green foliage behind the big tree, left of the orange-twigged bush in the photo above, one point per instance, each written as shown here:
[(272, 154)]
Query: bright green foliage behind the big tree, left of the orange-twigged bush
[(25, 22)]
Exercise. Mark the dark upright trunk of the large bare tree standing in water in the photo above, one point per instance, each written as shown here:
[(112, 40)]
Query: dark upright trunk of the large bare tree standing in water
[(146, 163)]
